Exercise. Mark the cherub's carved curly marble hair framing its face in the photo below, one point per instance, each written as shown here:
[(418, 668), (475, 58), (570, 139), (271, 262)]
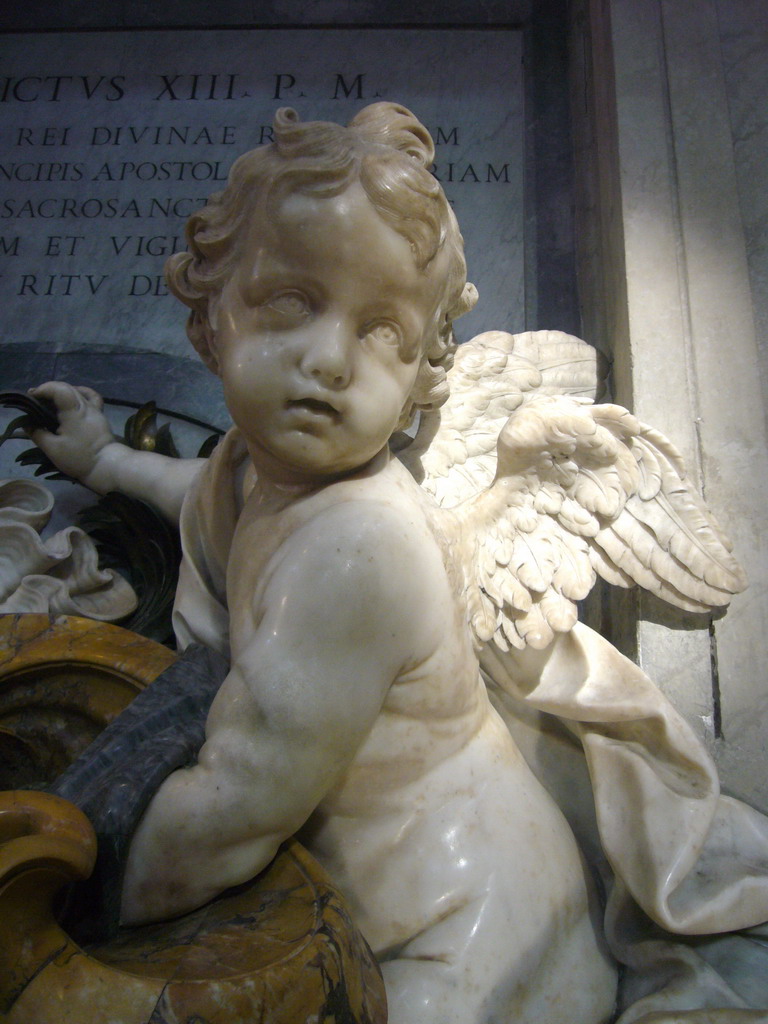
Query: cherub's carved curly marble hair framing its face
[(386, 149)]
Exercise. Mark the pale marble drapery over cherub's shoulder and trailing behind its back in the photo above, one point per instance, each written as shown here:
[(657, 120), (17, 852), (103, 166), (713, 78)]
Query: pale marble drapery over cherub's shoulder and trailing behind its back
[(685, 869)]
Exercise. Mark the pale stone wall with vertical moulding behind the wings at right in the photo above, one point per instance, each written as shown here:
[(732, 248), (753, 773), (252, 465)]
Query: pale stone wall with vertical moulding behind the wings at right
[(671, 147)]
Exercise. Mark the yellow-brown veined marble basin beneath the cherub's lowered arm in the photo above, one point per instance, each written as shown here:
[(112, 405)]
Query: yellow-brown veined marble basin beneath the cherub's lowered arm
[(280, 951)]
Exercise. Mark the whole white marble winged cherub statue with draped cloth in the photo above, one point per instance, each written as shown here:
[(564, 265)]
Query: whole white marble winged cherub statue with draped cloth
[(368, 604)]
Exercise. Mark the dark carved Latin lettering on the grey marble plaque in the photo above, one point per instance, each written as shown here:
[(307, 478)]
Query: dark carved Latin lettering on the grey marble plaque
[(100, 138)]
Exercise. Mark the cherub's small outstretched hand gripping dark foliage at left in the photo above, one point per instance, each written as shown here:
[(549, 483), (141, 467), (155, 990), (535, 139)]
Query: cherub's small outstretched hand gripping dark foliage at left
[(83, 434)]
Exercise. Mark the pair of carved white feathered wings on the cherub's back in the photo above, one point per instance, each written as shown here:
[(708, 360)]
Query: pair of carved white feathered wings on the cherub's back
[(558, 491)]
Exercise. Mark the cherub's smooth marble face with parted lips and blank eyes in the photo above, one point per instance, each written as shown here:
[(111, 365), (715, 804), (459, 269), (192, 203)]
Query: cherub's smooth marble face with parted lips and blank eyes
[(311, 332)]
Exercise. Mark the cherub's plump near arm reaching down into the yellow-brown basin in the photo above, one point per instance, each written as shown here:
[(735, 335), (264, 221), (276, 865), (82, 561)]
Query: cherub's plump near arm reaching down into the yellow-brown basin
[(332, 630)]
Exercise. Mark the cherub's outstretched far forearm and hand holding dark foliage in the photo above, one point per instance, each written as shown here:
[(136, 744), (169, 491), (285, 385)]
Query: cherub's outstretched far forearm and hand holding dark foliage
[(86, 449)]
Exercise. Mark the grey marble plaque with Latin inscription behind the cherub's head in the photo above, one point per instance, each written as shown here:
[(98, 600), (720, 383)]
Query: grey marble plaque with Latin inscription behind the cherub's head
[(109, 142)]
